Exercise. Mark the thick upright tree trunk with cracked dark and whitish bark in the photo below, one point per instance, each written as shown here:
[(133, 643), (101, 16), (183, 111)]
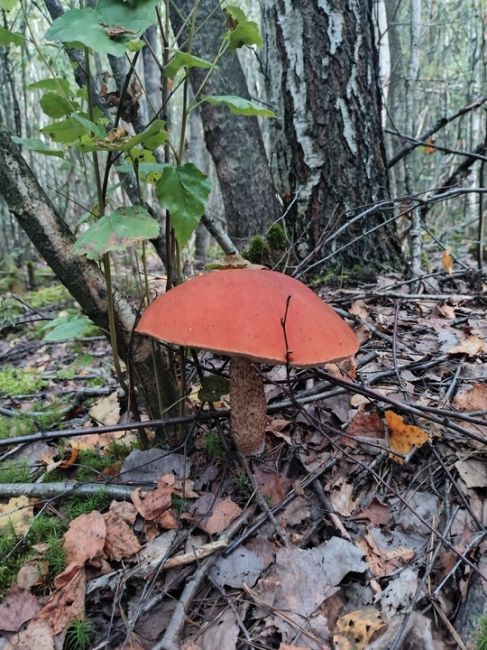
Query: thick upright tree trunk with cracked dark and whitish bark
[(322, 69)]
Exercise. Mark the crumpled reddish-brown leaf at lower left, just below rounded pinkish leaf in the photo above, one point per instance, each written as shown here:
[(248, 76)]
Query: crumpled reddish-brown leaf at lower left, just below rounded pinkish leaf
[(68, 601)]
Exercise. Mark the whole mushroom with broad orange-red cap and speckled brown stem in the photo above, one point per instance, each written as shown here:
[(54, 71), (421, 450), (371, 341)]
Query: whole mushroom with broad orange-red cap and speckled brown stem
[(252, 316)]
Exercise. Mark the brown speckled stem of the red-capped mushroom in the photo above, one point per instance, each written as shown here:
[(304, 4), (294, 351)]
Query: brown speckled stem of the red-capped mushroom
[(248, 406)]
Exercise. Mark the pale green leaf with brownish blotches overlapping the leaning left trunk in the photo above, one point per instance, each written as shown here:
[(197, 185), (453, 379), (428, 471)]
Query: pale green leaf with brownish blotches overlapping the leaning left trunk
[(115, 232)]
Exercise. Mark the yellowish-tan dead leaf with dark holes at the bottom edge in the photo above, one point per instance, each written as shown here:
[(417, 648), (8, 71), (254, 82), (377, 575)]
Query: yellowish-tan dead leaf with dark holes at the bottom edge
[(356, 629)]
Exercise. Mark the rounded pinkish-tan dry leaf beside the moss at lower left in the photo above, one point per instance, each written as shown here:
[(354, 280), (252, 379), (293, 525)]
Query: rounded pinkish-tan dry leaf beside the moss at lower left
[(85, 538)]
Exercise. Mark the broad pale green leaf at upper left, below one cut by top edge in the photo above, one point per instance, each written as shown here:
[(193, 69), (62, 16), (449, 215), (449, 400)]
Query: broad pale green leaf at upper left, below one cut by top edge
[(83, 26)]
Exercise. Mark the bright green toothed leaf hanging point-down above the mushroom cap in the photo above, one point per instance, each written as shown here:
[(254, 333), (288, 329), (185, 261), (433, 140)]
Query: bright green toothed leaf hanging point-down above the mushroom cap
[(184, 192)]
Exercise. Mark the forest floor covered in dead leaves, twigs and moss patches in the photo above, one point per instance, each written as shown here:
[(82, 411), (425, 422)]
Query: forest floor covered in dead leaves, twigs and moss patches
[(363, 524)]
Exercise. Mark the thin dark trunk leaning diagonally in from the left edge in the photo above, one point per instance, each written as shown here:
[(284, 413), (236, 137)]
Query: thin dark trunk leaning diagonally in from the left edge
[(52, 237)]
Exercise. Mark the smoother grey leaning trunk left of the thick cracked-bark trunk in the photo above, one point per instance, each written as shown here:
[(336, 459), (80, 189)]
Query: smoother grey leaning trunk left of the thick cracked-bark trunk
[(235, 143)]
